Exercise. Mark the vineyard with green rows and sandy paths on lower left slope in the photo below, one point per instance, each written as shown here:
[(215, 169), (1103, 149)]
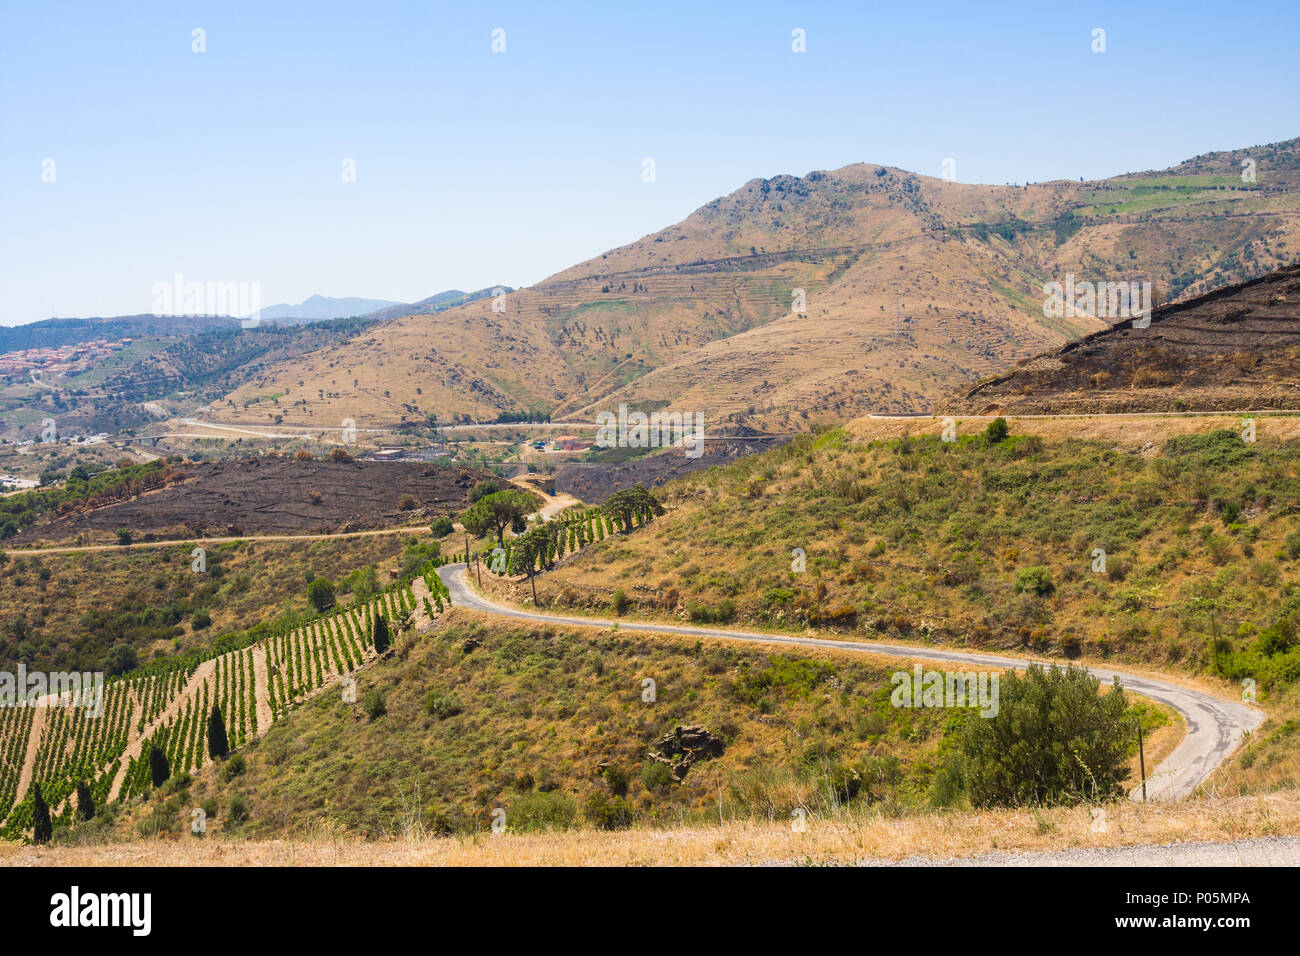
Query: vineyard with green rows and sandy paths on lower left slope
[(167, 706)]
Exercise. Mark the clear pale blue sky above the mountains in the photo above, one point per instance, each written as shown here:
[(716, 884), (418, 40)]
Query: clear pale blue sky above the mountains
[(478, 168)]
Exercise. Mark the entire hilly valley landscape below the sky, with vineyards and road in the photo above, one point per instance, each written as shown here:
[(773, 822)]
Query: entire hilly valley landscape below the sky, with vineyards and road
[(908, 462)]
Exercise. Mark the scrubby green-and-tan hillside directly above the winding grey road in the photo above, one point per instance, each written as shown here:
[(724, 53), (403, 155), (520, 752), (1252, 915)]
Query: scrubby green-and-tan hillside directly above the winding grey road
[(978, 544)]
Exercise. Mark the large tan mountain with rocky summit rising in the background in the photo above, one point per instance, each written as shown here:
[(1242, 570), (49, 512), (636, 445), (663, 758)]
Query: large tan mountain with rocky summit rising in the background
[(912, 285)]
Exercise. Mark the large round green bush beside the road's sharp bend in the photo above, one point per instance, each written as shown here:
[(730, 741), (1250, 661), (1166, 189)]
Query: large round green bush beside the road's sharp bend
[(1055, 739)]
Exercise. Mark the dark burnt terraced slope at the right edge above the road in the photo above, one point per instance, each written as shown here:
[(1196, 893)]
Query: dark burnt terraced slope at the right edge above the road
[(1233, 349)]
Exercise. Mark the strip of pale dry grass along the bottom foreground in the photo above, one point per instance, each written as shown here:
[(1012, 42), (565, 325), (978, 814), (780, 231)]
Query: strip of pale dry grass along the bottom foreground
[(864, 840)]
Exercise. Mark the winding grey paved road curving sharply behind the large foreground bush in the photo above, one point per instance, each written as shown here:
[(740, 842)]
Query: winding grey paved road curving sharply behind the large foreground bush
[(1215, 726)]
